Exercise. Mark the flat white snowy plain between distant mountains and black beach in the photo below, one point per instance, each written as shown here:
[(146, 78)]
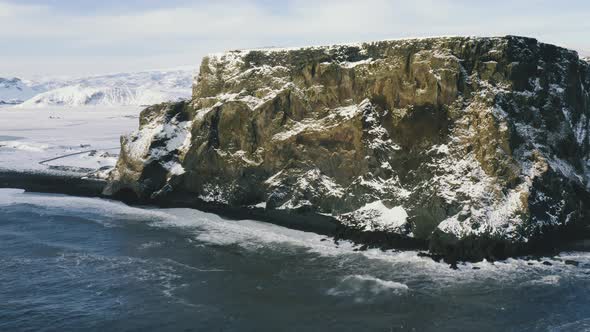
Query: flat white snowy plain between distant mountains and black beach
[(84, 139)]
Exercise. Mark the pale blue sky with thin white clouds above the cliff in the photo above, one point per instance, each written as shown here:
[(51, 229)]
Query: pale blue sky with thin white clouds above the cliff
[(41, 38)]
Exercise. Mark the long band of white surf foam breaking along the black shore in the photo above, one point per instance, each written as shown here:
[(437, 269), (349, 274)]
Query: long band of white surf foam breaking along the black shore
[(254, 235)]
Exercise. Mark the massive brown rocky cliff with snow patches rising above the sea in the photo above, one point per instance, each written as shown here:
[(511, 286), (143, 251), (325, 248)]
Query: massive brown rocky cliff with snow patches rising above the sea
[(477, 145)]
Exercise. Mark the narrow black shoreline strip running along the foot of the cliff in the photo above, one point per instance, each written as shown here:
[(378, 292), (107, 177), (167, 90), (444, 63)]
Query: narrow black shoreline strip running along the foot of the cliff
[(77, 185)]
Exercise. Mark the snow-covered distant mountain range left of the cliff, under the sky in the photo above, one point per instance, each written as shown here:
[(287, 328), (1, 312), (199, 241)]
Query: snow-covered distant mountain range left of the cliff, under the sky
[(122, 89)]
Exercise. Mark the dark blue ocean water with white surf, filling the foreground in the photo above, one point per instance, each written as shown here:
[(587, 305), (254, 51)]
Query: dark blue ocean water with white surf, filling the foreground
[(70, 263)]
